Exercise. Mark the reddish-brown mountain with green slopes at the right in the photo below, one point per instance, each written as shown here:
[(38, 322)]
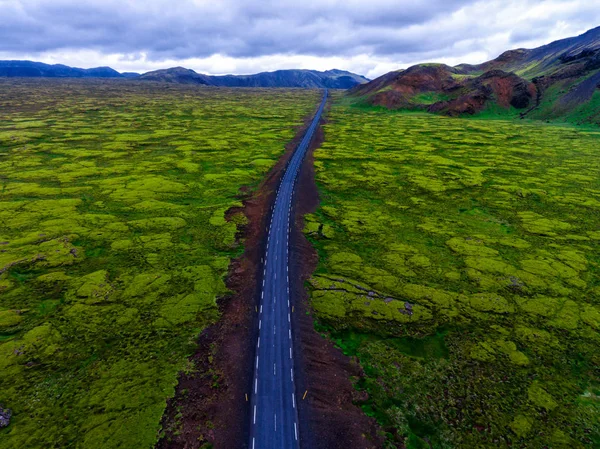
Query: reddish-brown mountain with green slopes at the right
[(560, 80)]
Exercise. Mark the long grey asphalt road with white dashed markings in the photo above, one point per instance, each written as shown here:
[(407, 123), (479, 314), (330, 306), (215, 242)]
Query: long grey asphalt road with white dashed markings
[(274, 416)]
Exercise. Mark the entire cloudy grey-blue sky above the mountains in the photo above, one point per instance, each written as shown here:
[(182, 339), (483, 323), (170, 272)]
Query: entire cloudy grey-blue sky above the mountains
[(368, 37)]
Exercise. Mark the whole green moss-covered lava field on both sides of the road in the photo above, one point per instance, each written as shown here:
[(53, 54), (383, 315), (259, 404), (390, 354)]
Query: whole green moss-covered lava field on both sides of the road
[(459, 260)]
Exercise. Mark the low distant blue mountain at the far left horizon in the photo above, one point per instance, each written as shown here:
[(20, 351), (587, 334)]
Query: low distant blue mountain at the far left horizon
[(39, 70)]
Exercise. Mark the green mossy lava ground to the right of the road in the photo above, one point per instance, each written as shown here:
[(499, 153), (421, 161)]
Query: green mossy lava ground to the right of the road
[(460, 261)]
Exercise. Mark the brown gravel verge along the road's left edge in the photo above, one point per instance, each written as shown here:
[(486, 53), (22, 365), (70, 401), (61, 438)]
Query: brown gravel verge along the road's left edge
[(209, 406)]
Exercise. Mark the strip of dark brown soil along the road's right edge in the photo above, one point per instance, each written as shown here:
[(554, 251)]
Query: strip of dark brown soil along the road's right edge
[(328, 417)]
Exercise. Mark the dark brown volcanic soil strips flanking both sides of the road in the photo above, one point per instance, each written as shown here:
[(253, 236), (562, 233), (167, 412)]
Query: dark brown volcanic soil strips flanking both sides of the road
[(210, 404)]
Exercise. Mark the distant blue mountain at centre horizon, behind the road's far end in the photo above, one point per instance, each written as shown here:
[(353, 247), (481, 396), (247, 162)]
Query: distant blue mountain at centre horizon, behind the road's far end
[(334, 79)]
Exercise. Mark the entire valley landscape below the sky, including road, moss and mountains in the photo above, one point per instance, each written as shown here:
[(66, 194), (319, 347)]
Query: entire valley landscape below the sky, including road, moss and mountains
[(302, 258)]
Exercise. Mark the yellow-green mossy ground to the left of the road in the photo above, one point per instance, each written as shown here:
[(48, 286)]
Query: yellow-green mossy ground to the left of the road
[(114, 246)]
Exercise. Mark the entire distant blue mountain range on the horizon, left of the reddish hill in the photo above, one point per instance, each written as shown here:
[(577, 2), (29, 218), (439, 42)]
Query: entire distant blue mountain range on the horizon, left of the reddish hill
[(333, 79)]
